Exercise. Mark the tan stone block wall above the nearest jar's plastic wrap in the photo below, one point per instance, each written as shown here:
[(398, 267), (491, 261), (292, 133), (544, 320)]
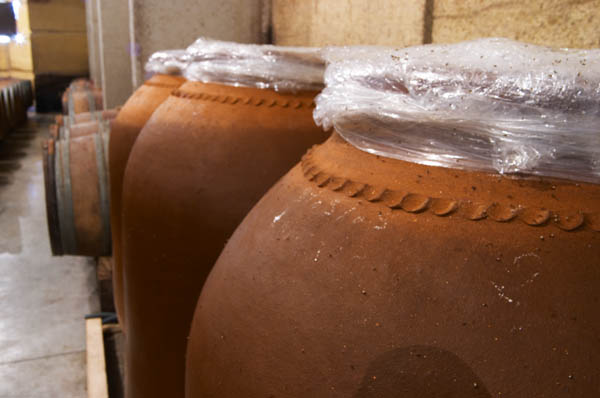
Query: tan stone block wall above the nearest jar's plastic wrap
[(557, 23)]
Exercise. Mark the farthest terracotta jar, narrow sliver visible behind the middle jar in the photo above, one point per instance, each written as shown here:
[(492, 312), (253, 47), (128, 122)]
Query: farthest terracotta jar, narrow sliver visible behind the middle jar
[(124, 131)]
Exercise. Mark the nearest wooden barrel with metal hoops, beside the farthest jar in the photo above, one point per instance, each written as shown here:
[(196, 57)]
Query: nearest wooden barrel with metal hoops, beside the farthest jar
[(77, 201)]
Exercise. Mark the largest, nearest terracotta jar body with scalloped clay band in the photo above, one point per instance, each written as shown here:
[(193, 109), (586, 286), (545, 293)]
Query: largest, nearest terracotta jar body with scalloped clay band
[(363, 276)]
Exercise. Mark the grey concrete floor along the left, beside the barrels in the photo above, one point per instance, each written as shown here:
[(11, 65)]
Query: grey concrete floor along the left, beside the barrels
[(43, 299)]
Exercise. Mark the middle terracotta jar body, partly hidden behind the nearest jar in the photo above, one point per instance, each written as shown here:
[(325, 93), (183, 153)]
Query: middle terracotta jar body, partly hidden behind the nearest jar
[(202, 161)]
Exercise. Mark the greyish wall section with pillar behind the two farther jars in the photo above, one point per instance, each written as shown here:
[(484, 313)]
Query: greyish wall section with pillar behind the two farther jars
[(129, 31)]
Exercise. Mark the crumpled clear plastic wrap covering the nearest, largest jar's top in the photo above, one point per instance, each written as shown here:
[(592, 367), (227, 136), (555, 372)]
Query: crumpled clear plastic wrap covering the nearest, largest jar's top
[(491, 104)]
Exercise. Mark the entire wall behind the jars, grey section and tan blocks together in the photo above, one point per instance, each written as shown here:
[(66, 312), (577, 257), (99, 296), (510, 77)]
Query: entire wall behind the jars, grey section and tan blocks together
[(127, 32)]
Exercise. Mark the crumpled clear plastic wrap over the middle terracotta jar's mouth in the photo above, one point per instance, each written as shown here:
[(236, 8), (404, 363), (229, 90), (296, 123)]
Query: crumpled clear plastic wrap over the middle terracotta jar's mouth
[(254, 65)]
